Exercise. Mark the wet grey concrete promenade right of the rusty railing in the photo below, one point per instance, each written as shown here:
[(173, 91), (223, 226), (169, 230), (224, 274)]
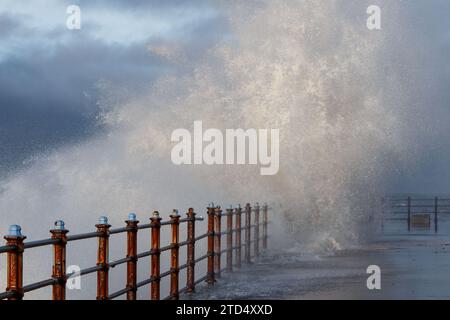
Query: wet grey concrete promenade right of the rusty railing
[(412, 267)]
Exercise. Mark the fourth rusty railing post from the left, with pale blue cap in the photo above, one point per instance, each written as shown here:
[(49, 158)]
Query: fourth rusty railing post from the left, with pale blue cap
[(132, 229)]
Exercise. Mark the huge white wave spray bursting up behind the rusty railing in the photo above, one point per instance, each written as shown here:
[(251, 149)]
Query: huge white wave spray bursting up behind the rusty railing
[(308, 68)]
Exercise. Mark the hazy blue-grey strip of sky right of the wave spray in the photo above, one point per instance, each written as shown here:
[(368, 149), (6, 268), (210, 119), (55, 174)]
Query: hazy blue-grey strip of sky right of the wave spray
[(426, 78)]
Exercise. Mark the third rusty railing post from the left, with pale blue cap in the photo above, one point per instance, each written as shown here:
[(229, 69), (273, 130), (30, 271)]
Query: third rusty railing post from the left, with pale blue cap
[(102, 258)]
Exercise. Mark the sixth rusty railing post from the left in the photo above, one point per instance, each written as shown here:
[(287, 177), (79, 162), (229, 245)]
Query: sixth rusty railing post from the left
[(174, 255)]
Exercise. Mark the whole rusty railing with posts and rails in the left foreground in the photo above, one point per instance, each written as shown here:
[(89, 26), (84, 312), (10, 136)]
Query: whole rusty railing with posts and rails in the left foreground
[(16, 245)]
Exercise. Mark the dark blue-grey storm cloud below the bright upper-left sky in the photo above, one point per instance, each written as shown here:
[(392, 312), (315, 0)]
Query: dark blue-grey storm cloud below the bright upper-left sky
[(49, 99)]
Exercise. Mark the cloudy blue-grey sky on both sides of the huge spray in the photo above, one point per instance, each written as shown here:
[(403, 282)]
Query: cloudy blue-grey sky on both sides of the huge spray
[(53, 80)]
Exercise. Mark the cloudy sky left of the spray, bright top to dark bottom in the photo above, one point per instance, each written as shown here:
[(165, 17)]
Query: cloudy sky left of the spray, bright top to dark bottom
[(52, 79)]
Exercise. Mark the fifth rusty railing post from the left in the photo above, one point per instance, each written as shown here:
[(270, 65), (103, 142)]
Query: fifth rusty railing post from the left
[(156, 256)]
